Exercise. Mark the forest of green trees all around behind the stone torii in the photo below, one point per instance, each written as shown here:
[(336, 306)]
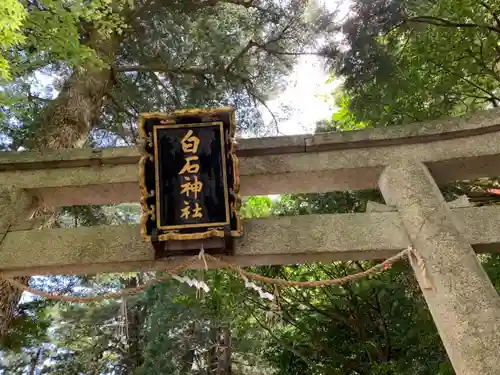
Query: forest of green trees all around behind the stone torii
[(76, 73)]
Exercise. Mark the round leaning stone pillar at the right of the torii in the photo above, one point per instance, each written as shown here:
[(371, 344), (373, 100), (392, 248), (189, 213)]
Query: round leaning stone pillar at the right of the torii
[(462, 300)]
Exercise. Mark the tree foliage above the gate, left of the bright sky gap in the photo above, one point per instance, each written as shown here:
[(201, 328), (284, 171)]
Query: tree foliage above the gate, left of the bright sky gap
[(163, 55)]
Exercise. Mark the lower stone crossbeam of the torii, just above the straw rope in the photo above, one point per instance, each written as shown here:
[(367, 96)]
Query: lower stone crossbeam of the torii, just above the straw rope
[(283, 240)]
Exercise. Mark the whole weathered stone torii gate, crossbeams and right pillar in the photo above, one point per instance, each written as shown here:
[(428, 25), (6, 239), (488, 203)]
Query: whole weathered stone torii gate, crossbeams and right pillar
[(406, 163)]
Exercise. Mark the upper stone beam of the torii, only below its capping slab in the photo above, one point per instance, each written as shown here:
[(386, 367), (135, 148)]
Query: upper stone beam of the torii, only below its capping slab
[(274, 174)]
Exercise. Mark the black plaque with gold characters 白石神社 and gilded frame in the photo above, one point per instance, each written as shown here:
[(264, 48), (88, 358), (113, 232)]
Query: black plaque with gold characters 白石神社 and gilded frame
[(189, 178)]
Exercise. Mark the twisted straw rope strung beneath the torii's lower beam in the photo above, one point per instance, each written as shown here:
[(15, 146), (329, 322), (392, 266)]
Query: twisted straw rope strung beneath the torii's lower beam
[(410, 252)]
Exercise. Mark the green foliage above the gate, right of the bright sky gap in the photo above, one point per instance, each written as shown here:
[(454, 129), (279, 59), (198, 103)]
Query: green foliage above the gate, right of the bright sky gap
[(409, 61)]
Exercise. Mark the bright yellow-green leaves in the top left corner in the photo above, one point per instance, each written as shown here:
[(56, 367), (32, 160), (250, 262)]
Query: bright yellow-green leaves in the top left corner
[(62, 32)]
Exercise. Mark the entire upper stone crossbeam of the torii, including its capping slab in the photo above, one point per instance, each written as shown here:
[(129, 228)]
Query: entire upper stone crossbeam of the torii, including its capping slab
[(272, 165)]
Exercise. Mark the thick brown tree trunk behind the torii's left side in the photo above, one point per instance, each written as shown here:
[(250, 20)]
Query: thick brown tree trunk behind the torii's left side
[(66, 124)]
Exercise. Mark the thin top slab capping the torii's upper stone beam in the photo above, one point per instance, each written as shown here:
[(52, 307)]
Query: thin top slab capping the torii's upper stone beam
[(443, 129)]
